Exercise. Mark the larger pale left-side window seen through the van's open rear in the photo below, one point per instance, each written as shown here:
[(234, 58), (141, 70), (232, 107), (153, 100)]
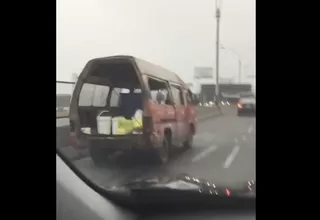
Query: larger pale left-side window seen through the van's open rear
[(93, 95)]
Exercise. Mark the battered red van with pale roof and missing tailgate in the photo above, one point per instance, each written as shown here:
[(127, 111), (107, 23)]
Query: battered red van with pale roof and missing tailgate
[(118, 88)]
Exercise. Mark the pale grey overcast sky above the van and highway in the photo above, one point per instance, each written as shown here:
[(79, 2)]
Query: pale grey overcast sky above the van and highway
[(176, 34)]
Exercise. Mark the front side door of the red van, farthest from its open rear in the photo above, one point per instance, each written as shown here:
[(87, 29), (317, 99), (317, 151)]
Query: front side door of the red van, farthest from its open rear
[(181, 113)]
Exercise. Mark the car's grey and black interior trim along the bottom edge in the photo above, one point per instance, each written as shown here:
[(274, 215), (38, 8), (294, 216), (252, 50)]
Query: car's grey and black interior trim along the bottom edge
[(76, 201)]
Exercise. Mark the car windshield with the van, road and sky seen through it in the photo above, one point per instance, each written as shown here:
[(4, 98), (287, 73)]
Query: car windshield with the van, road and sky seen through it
[(131, 117)]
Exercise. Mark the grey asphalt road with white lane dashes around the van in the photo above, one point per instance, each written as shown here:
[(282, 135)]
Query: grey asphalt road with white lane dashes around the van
[(223, 153)]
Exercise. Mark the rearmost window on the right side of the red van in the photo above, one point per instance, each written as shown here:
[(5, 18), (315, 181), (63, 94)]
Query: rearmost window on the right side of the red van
[(159, 91)]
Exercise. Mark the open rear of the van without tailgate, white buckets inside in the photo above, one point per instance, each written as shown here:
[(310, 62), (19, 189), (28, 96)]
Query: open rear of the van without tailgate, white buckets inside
[(110, 98)]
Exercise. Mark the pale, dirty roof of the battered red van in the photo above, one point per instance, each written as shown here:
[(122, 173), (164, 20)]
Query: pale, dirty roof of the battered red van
[(147, 68)]
